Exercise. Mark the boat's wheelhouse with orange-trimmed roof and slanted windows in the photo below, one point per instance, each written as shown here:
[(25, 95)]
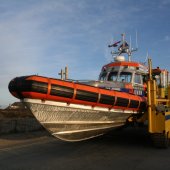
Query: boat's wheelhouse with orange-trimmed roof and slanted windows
[(125, 76)]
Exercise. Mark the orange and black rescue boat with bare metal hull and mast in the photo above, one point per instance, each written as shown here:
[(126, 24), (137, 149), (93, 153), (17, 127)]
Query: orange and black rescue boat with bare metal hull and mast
[(78, 110)]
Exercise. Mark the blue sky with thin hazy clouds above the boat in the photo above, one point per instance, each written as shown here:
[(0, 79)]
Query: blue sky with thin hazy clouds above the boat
[(43, 36)]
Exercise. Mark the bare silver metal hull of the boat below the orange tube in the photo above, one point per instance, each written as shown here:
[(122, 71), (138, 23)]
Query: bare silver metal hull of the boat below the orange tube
[(76, 122)]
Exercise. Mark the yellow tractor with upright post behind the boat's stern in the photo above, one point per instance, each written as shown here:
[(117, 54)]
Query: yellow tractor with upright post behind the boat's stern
[(158, 95)]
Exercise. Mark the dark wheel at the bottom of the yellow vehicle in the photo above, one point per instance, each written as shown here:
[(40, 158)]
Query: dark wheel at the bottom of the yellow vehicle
[(160, 140)]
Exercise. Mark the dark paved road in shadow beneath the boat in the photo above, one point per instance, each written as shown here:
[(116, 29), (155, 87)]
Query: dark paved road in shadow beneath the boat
[(129, 149)]
